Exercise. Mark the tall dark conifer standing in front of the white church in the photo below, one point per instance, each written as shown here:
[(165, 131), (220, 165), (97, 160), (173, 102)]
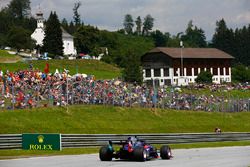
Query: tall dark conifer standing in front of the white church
[(52, 42)]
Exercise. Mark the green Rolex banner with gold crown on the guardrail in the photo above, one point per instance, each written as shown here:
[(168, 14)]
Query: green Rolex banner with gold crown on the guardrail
[(41, 141)]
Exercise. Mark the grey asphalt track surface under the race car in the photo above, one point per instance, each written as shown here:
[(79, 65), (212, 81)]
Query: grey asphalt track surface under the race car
[(205, 157)]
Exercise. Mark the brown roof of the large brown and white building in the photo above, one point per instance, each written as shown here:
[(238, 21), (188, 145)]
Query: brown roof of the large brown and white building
[(200, 53)]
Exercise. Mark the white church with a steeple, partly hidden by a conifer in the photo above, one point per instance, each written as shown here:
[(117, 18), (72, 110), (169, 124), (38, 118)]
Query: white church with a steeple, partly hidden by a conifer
[(39, 34)]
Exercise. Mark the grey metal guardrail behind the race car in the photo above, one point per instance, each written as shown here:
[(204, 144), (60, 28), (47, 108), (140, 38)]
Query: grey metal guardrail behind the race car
[(14, 141)]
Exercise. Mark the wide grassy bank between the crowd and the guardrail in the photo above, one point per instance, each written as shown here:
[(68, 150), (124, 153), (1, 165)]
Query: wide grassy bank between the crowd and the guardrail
[(104, 119)]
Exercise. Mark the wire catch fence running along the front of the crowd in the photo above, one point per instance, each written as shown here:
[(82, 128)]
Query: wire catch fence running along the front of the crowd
[(28, 94)]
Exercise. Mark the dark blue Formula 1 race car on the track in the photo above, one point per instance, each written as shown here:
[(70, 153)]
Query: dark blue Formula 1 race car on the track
[(133, 149)]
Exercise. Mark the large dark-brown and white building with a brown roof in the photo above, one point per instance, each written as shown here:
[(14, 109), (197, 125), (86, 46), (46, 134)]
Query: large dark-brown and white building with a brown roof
[(180, 66)]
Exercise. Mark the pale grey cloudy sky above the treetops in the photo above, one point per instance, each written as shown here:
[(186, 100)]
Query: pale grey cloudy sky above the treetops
[(170, 15)]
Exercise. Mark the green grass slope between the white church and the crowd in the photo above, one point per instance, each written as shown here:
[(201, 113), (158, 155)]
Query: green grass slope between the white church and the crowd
[(99, 69)]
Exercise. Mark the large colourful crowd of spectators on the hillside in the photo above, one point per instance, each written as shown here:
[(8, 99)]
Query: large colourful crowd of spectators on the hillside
[(33, 88)]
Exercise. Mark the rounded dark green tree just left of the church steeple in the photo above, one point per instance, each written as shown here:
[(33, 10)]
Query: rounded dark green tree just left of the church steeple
[(19, 38)]
